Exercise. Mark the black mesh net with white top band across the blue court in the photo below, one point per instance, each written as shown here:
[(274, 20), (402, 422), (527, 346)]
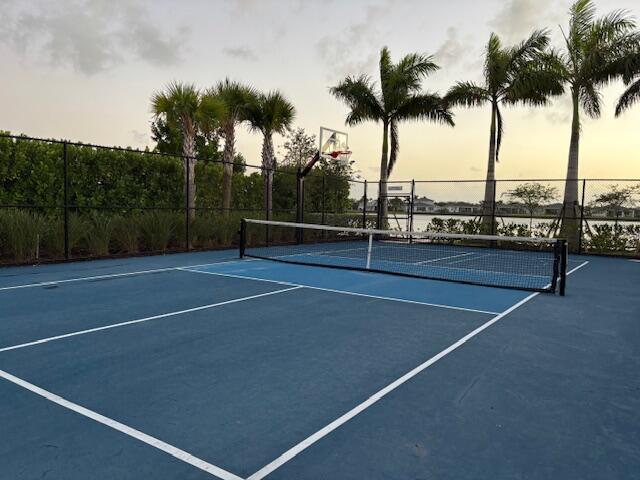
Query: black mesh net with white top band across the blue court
[(535, 264)]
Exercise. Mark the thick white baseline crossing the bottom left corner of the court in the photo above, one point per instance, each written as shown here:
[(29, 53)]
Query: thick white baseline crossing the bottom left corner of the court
[(131, 432)]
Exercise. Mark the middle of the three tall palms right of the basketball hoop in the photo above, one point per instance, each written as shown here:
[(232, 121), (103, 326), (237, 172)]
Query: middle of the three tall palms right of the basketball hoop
[(521, 74)]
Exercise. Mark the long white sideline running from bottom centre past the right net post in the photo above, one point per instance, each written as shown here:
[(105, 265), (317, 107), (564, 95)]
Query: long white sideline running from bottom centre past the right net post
[(307, 442)]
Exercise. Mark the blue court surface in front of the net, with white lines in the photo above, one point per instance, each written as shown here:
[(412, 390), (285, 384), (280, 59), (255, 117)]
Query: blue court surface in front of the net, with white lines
[(200, 366)]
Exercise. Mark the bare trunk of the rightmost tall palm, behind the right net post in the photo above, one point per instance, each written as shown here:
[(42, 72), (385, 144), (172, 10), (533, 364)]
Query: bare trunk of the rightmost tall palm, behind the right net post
[(570, 207)]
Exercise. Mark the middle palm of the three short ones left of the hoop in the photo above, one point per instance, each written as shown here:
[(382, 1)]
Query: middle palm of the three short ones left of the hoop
[(236, 98)]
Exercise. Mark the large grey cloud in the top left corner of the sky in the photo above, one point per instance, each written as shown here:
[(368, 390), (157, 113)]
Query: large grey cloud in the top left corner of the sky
[(89, 35)]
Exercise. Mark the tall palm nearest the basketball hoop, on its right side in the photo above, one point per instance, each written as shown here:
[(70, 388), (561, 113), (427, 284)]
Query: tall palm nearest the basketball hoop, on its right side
[(399, 98)]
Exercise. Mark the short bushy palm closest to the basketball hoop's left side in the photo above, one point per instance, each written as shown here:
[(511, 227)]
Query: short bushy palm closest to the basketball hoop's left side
[(268, 114)]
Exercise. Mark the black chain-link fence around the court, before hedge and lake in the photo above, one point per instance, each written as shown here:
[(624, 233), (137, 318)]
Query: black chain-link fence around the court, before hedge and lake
[(63, 200)]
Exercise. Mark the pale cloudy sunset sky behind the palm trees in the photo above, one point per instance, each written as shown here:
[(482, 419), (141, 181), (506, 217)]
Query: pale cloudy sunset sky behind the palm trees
[(85, 70)]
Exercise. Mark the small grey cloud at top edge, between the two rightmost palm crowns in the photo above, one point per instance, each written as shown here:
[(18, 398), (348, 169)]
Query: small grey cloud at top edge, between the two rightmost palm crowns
[(518, 18)]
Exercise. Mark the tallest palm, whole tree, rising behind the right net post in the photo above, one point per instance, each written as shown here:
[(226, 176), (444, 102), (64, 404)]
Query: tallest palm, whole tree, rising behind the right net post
[(597, 51)]
